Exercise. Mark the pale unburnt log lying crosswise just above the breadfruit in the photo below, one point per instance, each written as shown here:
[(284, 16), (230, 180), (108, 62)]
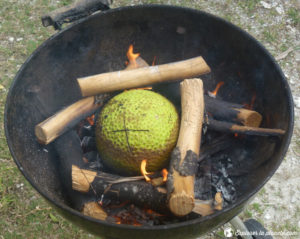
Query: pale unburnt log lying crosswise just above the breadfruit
[(120, 80)]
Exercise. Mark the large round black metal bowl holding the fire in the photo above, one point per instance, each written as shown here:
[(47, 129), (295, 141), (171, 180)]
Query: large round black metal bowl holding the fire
[(47, 81)]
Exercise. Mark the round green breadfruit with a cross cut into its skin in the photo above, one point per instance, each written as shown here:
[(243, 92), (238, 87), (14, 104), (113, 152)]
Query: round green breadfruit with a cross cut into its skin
[(137, 125)]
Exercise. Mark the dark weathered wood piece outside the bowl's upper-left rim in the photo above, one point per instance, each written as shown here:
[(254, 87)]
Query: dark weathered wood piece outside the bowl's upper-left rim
[(73, 12)]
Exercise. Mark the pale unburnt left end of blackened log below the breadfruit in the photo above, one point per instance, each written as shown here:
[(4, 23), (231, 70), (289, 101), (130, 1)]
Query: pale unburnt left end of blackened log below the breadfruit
[(82, 179)]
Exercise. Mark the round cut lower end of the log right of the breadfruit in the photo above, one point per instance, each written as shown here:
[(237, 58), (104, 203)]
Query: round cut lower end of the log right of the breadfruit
[(181, 204)]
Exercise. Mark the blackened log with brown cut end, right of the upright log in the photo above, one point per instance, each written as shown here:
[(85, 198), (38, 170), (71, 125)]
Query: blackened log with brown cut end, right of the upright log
[(226, 111)]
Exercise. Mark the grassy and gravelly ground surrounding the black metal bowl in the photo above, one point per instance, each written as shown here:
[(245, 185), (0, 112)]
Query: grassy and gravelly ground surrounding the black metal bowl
[(276, 24)]
